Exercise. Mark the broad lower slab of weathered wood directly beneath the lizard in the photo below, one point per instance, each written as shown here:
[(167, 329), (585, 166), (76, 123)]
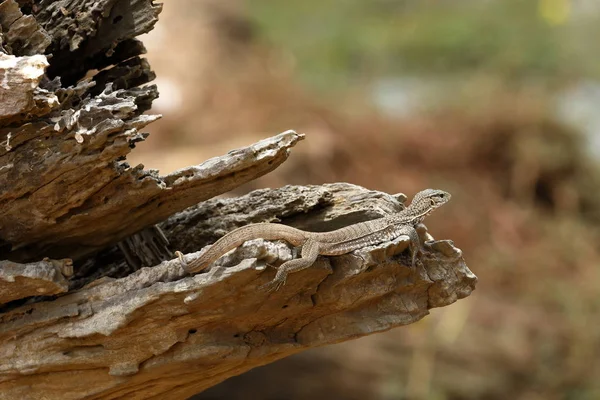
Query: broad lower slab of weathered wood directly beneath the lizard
[(160, 332)]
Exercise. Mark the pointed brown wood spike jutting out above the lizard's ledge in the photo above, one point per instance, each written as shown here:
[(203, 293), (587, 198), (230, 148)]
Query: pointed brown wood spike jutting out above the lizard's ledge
[(66, 198)]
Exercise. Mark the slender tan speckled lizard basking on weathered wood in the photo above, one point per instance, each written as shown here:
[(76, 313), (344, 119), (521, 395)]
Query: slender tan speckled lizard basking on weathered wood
[(332, 243)]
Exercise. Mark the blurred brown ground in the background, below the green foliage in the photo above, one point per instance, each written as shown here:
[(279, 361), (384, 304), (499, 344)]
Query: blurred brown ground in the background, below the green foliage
[(524, 211)]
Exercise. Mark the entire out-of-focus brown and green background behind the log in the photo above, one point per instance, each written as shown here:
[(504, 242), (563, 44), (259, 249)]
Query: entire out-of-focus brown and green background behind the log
[(494, 101)]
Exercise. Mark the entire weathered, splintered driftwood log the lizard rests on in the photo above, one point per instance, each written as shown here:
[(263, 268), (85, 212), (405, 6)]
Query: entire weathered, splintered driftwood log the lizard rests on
[(78, 317)]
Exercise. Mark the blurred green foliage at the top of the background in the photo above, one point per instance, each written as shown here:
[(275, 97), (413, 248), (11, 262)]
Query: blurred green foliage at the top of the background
[(337, 42)]
